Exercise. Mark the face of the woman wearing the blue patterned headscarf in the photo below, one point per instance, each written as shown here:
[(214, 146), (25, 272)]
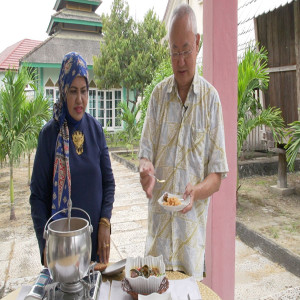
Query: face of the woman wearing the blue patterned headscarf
[(77, 98)]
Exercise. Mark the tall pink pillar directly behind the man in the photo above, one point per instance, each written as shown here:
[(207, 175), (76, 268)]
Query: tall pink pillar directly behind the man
[(220, 69)]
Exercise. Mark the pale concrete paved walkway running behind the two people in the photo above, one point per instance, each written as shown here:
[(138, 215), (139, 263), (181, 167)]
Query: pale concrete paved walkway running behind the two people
[(256, 276)]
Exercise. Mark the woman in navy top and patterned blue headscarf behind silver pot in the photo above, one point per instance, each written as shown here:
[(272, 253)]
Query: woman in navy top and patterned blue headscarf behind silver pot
[(72, 162)]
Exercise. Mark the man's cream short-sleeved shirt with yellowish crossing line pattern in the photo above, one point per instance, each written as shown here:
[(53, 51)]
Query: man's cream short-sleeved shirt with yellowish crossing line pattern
[(185, 144)]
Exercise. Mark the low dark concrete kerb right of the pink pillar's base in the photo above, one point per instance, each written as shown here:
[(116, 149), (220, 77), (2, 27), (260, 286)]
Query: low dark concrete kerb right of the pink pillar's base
[(268, 248)]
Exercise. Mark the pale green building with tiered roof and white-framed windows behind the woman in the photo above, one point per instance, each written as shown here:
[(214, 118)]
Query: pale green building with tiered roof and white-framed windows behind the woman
[(75, 27)]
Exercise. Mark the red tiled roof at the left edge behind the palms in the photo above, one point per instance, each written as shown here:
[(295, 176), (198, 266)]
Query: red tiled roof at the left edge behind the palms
[(10, 57)]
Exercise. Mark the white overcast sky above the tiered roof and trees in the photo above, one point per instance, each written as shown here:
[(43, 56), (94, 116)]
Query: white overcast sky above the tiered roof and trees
[(29, 19)]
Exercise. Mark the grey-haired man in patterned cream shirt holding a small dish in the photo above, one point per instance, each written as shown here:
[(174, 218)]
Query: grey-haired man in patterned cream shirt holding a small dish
[(183, 143)]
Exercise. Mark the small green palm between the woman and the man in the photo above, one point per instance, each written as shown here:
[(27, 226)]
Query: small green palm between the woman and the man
[(130, 127)]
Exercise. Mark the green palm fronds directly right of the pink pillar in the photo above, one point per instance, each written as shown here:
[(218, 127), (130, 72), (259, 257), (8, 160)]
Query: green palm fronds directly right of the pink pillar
[(253, 75)]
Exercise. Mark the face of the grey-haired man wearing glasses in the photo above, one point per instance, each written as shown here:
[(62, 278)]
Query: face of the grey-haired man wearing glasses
[(186, 43)]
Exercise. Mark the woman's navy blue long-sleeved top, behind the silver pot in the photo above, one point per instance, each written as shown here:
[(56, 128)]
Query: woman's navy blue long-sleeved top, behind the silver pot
[(92, 180)]
